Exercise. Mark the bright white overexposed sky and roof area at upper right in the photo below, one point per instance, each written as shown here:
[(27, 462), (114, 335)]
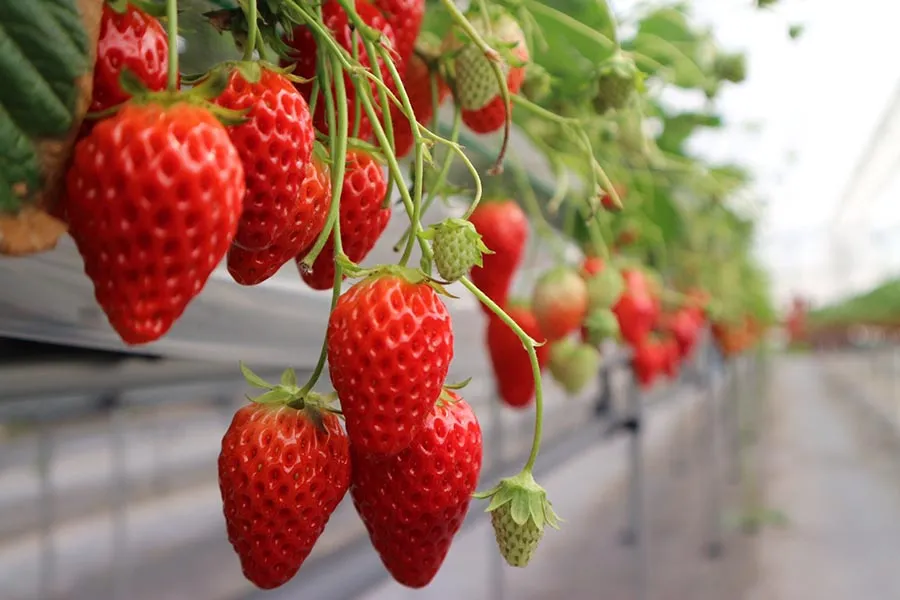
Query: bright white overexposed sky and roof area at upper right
[(817, 101)]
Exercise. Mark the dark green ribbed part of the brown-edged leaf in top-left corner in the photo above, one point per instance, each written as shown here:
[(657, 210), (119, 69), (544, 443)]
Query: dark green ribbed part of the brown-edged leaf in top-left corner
[(43, 50)]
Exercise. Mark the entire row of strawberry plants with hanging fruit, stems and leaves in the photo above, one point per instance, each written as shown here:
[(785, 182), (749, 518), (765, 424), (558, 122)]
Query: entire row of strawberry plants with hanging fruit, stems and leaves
[(288, 154)]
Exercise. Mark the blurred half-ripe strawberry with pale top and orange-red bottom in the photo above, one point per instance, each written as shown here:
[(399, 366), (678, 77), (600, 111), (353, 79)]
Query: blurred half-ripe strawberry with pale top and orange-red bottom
[(560, 302)]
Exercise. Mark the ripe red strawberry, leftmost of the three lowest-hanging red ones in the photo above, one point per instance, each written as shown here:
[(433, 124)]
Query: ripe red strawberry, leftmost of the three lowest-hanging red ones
[(282, 472)]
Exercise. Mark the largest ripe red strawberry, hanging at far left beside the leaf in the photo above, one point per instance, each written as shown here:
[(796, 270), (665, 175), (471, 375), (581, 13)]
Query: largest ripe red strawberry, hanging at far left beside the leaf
[(153, 197)]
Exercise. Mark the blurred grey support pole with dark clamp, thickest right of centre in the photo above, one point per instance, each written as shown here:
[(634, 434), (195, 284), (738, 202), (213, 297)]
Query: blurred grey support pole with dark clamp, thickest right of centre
[(635, 534)]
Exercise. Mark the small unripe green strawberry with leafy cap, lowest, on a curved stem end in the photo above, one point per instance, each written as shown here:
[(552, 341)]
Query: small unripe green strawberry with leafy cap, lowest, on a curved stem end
[(519, 511)]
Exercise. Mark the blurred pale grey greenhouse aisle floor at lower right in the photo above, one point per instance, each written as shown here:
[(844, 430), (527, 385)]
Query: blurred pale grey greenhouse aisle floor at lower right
[(834, 471)]
